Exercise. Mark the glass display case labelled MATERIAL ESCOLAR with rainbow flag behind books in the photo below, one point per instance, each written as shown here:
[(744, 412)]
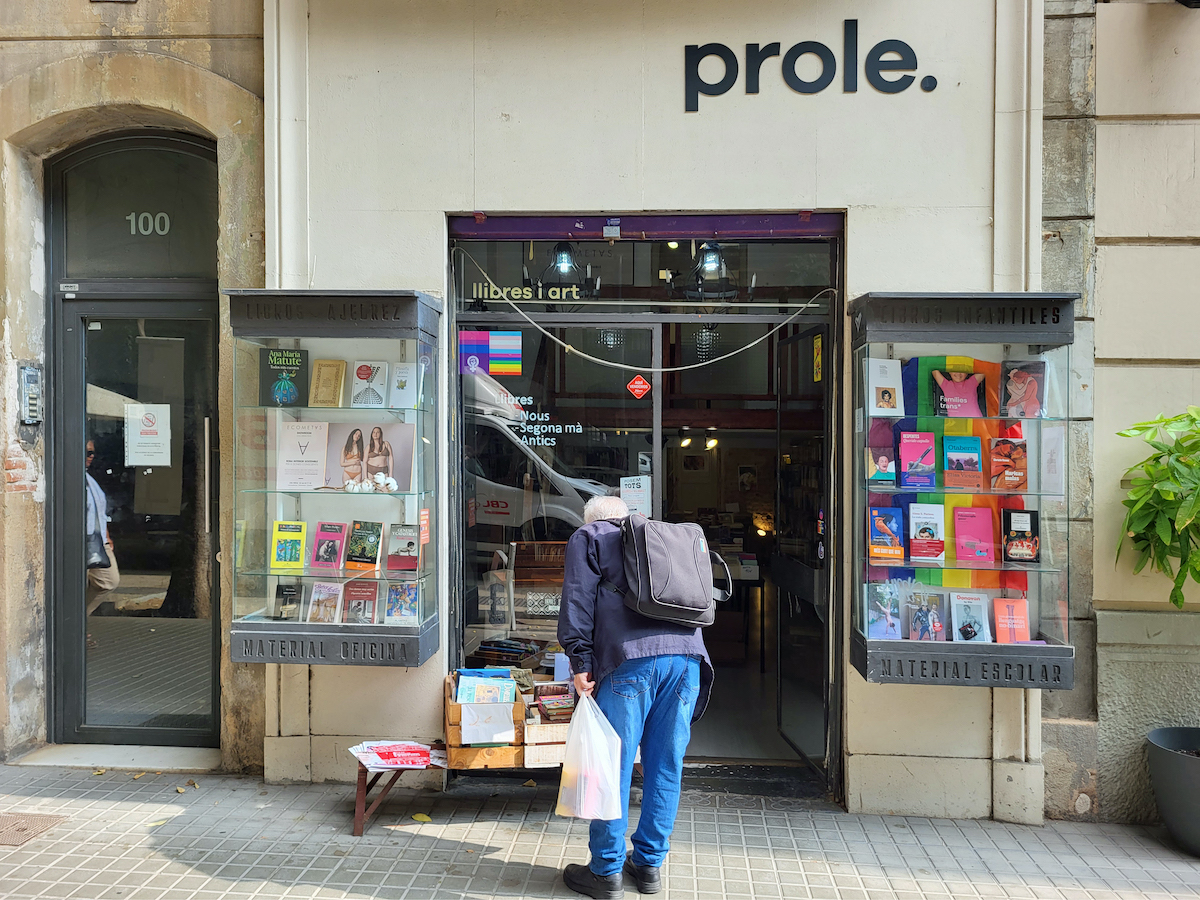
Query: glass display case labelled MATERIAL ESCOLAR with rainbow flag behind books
[(962, 535)]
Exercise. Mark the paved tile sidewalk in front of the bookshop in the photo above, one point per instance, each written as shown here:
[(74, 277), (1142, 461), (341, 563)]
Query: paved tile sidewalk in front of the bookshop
[(237, 838)]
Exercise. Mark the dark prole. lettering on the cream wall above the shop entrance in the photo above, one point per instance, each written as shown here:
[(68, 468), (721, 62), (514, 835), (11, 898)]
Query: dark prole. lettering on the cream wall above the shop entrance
[(883, 61)]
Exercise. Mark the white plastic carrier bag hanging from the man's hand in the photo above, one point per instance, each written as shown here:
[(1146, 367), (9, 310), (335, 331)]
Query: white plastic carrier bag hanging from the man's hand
[(591, 784)]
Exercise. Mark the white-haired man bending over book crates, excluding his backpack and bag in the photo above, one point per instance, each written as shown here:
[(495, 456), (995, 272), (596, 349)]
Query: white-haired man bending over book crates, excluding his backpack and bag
[(652, 681)]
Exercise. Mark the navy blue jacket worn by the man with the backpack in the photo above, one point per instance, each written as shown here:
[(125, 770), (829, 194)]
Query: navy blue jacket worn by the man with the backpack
[(598, 632)]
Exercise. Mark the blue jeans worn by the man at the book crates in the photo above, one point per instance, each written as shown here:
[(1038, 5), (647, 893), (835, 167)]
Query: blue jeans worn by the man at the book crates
[(650, 704)]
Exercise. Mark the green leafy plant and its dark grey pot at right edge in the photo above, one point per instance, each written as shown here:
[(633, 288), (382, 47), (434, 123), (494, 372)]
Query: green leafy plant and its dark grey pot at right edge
[(1163, 524)]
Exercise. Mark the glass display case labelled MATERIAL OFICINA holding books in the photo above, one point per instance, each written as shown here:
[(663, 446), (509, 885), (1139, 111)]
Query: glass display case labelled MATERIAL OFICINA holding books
[(335, 478)]
